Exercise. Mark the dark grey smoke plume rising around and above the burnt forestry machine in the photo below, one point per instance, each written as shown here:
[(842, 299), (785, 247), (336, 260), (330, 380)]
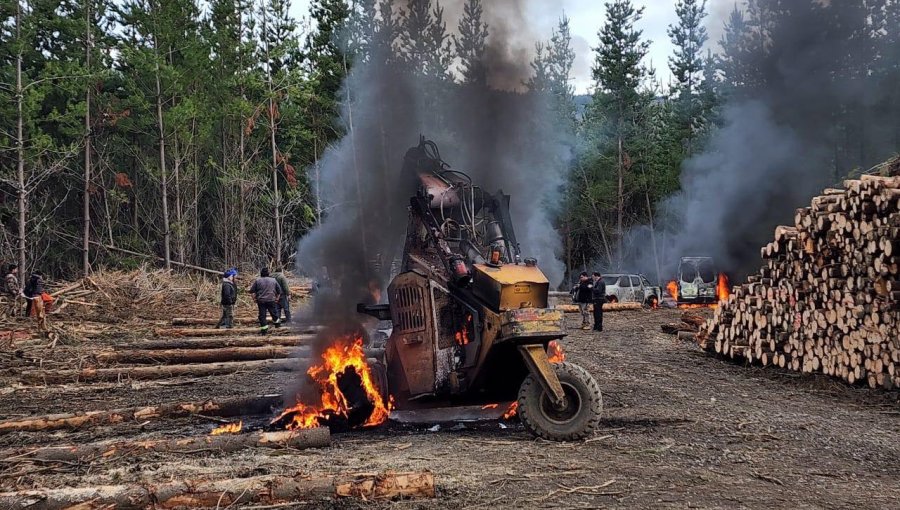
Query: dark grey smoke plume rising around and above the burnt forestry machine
[(503, 139)]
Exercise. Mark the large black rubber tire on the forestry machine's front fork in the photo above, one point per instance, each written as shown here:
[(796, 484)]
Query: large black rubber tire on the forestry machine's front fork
[(578, 420)]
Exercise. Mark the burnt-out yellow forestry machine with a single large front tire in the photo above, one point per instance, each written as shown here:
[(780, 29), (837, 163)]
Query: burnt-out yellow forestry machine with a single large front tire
[(471, 322)]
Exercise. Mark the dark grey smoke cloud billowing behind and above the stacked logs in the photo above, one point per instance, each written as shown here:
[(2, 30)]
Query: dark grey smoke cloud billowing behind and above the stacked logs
[(814, 108)]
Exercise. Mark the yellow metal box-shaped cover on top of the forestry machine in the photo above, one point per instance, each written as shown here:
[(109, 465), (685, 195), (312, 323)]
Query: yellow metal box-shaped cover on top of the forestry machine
[(511, 286)]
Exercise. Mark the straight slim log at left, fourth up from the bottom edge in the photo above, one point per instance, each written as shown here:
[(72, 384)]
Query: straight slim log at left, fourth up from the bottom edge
[(157, 372)]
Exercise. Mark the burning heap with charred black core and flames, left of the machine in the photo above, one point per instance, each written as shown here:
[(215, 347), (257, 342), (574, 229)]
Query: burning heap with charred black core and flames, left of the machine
[(345, 392)]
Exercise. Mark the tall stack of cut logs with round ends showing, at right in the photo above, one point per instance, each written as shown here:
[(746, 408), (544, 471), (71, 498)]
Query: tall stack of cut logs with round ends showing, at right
[(827, 298)]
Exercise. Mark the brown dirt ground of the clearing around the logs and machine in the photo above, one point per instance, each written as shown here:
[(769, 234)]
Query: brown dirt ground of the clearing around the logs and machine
[(681, 429)]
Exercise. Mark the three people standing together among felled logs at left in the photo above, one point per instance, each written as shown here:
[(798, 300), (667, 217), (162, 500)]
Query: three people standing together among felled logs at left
[(271, 293)]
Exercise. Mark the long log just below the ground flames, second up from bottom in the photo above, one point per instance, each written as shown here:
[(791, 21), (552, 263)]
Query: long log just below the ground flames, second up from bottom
[(227, 443)]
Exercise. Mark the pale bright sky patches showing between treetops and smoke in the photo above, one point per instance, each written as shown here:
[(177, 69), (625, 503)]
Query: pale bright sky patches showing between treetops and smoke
[(587, 17)]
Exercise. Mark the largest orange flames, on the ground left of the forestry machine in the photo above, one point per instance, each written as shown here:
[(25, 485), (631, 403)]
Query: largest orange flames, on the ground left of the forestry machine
[(346, 353)]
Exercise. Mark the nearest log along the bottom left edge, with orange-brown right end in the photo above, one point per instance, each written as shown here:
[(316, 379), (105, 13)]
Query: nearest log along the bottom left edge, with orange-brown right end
[(270, 490)]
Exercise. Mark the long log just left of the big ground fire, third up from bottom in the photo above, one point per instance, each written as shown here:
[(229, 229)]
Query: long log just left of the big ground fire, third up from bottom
[(248, 406)]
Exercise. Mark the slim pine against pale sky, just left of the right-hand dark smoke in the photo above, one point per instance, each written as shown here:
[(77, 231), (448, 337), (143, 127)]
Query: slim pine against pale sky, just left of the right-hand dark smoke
[(688, 36)]
